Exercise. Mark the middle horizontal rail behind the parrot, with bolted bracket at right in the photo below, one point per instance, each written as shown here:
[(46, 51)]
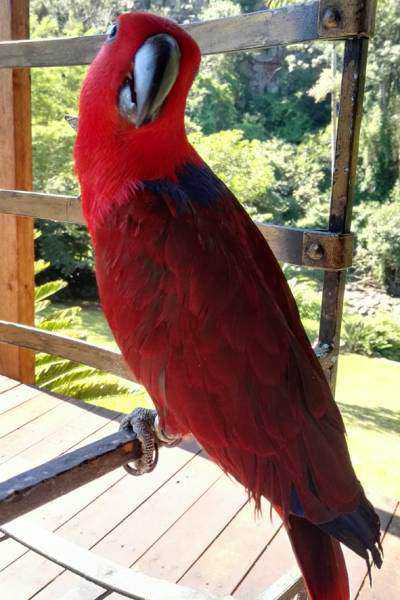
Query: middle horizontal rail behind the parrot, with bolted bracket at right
[(317, 249)]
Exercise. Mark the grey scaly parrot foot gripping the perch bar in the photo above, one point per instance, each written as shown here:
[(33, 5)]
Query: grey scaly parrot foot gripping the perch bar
[(144, 422)]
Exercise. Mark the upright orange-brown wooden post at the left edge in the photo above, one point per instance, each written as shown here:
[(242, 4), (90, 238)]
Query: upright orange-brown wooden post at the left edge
[(16, 233)]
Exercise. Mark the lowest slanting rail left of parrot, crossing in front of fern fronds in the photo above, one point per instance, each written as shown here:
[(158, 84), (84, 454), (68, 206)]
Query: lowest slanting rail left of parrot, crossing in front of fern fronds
[(58, 345)]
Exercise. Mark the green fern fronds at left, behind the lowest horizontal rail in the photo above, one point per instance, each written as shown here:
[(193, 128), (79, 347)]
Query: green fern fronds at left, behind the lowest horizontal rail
[(63, 376)]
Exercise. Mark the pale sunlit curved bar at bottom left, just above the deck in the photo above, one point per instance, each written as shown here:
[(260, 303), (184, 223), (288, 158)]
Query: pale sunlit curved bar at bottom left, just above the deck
[(99, 570)]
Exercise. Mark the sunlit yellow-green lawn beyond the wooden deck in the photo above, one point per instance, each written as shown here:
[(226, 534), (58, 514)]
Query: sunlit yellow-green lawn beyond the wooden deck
[(367, 393)]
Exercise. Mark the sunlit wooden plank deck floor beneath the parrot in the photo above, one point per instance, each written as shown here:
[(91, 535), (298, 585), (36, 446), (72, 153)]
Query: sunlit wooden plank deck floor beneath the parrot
[(186, 522)]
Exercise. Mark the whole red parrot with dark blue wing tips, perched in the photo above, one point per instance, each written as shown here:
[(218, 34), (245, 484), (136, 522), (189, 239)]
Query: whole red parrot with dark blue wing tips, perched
[(200, 307)]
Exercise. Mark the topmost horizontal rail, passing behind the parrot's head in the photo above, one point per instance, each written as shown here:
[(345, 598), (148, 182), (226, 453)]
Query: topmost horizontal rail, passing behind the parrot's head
[(263, 29)]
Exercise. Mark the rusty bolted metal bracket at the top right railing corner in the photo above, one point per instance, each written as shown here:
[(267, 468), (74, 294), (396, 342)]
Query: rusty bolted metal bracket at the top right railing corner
[(338, 18)]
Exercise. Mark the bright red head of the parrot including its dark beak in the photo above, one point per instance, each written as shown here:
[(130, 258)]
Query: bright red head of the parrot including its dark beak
[(132, 102)]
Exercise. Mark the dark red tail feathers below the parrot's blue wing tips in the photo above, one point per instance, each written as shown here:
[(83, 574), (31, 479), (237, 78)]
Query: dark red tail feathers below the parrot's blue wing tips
[(320, 559)]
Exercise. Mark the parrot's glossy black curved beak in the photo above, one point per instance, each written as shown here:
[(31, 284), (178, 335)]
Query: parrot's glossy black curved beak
[(156, 67)]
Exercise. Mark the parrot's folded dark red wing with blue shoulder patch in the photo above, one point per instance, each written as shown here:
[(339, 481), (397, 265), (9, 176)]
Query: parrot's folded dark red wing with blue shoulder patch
[(230, 361)]
